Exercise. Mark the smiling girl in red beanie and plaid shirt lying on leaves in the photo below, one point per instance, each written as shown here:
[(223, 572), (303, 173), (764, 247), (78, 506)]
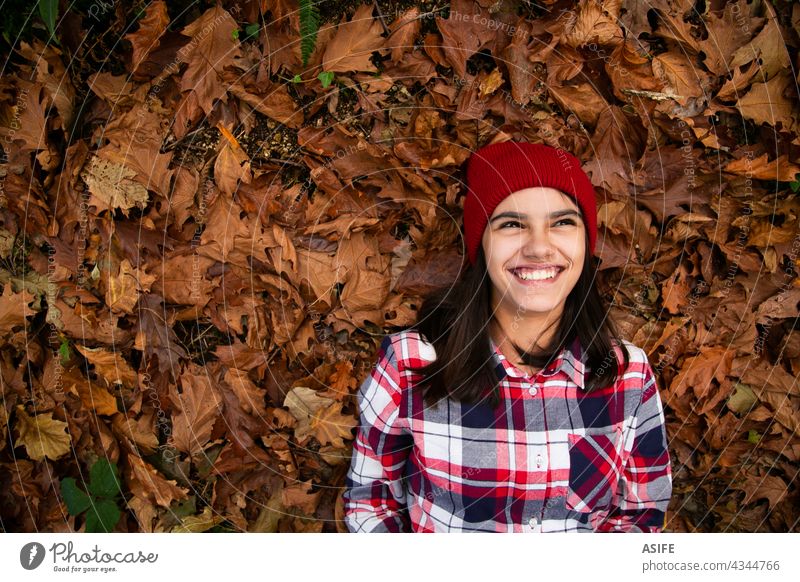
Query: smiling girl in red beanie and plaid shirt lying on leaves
[(512, 406)]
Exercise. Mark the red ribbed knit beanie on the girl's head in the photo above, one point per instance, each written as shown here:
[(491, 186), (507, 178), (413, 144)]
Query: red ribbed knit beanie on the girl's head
[(500, 169)]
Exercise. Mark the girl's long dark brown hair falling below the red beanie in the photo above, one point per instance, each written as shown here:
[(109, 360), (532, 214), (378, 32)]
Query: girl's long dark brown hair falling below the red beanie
[(455, 321)]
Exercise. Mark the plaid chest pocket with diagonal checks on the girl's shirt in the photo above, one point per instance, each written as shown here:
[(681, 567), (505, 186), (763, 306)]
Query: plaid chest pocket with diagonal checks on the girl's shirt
[(595, 464)]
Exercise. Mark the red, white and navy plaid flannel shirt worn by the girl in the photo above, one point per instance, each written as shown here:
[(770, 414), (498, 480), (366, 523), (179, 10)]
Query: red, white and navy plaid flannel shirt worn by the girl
[(550, 458)]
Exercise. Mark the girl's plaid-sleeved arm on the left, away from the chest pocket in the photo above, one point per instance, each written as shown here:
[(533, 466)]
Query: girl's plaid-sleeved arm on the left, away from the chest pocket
[(374, 496)]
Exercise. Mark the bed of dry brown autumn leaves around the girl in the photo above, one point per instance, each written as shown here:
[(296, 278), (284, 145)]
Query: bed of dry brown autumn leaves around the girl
[(199, 254)]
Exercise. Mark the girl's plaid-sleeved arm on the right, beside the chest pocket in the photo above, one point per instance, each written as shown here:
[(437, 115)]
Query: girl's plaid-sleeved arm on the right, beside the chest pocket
[(645, 486)]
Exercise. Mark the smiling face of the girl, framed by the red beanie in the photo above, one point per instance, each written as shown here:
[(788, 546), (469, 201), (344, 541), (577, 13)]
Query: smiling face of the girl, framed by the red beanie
[(535, 246)]
